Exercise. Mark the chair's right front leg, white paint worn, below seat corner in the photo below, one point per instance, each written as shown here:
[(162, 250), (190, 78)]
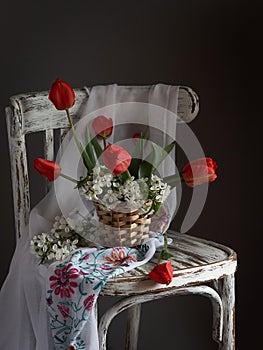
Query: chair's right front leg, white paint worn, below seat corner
[(228, 300)]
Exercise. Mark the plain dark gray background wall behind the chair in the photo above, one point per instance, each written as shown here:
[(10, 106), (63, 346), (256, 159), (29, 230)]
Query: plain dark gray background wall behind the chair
[(212, 46)]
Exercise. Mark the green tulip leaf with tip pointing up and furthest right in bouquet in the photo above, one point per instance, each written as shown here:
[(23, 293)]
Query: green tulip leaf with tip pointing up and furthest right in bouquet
[(154, 159)]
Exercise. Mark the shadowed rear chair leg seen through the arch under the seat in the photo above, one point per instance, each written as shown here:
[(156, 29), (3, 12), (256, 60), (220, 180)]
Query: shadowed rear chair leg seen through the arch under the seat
[(132, 330)]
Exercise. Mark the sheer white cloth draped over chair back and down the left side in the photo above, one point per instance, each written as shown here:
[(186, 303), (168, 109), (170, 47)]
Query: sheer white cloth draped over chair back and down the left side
[(24, 324)]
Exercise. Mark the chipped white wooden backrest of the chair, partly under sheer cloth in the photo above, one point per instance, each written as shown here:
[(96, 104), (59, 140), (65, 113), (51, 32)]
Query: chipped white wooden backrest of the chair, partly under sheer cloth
[(33, 112)]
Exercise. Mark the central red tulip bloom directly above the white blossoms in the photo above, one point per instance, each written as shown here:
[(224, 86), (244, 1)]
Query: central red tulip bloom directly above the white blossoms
[(116, 158)]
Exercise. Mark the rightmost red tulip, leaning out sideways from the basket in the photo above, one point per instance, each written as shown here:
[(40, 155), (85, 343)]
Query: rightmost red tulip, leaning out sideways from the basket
[(199, 171)]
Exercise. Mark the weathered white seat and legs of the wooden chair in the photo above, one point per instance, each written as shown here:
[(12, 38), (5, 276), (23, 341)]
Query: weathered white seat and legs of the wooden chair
[(196, 261)]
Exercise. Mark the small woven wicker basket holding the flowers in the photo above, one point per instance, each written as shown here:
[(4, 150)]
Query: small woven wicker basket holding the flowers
[(121, 227)]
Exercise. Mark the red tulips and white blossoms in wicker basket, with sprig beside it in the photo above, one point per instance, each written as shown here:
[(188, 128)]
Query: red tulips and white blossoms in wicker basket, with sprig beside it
[(123, 186)]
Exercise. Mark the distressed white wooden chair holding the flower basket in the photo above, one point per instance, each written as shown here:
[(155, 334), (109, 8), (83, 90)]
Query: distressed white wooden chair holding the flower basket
[(200, 266)]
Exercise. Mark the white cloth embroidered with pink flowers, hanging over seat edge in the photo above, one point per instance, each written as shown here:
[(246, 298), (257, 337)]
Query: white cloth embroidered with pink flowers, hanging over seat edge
[(74, 285)]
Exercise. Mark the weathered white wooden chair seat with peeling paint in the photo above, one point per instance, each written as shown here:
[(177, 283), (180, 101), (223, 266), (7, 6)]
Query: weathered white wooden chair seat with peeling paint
[(194, 261)]
